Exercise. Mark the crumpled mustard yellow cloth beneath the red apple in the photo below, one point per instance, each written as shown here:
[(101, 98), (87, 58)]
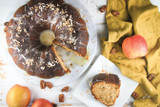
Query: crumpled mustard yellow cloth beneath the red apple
[(136, 17)]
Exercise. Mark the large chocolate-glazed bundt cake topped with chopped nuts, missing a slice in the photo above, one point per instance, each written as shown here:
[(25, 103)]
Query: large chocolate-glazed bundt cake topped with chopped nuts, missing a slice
[(29, 41)]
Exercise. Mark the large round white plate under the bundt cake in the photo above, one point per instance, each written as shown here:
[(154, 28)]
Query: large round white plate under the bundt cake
[(69, 58)]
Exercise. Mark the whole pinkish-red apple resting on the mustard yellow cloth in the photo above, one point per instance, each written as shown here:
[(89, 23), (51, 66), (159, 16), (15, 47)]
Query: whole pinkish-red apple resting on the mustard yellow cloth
[(134, 47)]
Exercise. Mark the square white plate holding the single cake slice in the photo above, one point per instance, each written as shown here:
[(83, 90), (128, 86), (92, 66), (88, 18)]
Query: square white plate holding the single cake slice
[(82, 91)]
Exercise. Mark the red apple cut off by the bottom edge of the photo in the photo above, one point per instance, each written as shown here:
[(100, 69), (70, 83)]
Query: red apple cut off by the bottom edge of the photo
[(42, 103)]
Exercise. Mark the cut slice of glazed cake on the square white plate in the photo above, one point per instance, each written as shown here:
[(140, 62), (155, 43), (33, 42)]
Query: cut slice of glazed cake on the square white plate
[(106, 88)]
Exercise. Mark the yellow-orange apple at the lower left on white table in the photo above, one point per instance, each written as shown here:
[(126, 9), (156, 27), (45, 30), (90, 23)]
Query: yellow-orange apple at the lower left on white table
[(18, 96)]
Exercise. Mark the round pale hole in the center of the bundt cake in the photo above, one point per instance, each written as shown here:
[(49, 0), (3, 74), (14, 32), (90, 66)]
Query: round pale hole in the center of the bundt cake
[(47, 37)]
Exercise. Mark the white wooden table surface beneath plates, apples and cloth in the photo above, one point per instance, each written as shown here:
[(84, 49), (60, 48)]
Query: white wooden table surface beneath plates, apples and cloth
[(52, 94)]
